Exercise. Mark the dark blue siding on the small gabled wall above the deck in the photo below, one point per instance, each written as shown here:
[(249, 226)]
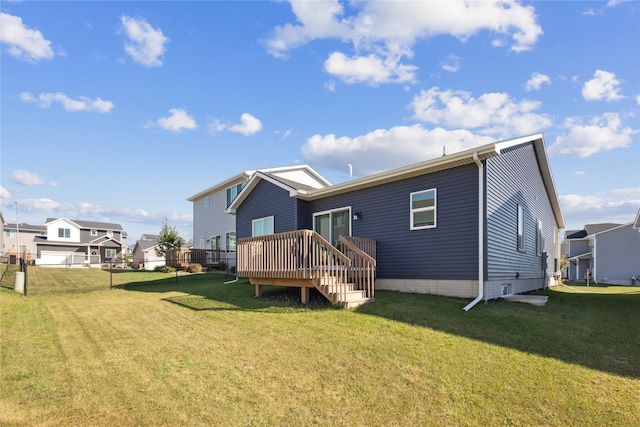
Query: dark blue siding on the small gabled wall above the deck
[(266, 200)]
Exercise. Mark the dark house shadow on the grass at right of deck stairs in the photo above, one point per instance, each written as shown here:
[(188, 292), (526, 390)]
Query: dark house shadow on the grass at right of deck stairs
[(598, 331)]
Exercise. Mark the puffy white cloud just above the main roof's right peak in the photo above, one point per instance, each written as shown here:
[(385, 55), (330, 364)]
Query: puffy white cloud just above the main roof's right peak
[(491, 113)]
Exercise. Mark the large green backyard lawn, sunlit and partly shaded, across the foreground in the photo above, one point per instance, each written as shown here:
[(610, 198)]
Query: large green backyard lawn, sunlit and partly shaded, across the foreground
[(199, 352)]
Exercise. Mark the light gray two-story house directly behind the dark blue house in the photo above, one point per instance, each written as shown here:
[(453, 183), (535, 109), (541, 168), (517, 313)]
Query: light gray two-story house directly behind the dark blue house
[(213, 229)]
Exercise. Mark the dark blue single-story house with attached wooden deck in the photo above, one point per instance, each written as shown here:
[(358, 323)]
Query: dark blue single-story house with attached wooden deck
[(480, 223)]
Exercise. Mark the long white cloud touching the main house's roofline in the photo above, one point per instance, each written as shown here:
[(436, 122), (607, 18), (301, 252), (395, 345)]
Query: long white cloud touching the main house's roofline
[(385, 149)]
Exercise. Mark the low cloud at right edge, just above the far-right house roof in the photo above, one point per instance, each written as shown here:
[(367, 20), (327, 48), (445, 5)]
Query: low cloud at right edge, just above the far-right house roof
[(618, 205)]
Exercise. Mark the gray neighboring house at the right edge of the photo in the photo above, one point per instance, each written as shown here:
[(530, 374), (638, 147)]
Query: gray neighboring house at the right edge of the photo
[(608, 253)]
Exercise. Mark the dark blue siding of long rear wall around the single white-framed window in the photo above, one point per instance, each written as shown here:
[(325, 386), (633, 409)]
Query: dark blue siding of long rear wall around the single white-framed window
[(448, 251)]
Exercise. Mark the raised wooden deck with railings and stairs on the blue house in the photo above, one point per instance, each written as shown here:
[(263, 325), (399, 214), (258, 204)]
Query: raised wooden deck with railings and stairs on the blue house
[(304, 259)]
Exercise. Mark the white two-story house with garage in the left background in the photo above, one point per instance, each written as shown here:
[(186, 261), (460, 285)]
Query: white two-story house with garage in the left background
[(76, 243)]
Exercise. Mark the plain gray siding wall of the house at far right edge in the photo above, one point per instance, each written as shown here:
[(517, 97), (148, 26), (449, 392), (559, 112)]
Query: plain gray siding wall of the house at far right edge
[(617, 255)]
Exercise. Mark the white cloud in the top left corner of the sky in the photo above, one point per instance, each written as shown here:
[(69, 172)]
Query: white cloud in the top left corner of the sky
[(23, 42)]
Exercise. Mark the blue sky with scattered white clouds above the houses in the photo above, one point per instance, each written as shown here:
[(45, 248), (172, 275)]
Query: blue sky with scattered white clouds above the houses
[(118, 111)]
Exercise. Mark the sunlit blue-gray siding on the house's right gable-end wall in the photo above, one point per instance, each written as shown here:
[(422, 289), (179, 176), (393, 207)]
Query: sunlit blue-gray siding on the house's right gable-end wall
[(513, 179)]
